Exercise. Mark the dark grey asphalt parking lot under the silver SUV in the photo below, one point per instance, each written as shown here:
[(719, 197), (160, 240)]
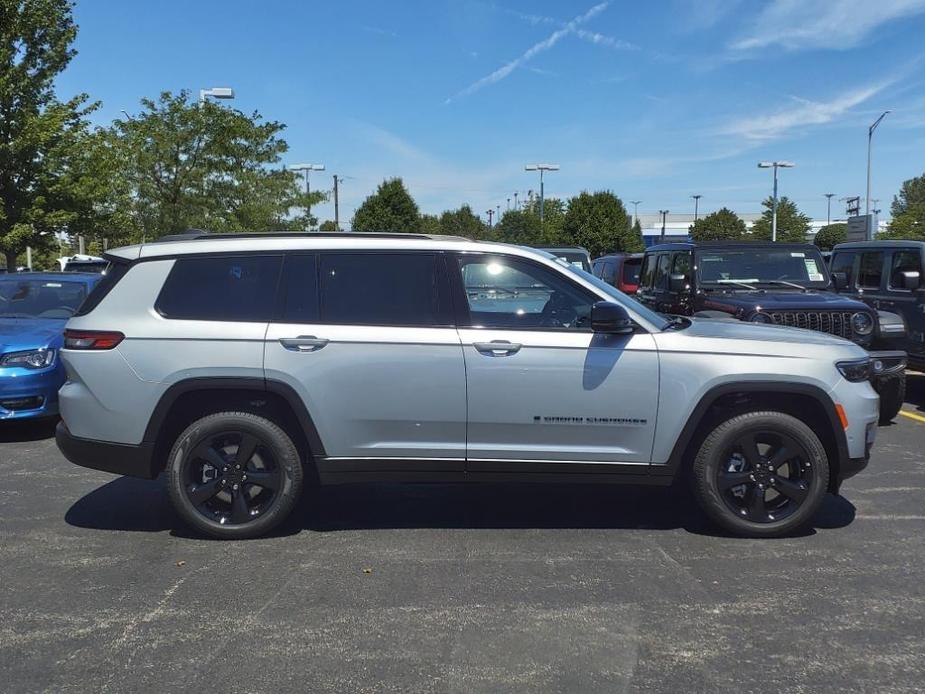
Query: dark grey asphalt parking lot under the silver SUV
[(460, 589)]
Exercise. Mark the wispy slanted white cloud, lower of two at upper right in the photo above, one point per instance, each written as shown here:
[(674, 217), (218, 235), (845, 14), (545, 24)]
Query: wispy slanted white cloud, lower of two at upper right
[(805, 113)]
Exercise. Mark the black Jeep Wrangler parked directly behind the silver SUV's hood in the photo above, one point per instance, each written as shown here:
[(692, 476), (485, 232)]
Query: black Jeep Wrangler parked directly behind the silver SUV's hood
[(777, 283)]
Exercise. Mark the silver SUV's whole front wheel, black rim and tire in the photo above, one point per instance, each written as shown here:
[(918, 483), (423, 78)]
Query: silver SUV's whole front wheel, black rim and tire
[(761, 474)]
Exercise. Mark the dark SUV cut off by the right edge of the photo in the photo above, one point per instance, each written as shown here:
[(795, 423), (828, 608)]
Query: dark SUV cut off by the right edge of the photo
[(887, 275)]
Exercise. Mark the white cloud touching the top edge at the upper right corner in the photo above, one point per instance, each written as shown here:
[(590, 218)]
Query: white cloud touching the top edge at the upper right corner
[(834, 24)]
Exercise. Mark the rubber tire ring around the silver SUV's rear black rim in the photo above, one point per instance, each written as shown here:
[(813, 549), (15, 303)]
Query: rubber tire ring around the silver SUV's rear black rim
[(271, 436)]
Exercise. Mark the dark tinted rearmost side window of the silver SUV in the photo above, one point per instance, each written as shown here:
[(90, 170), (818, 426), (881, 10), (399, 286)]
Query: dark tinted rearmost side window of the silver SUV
[(229, 288)]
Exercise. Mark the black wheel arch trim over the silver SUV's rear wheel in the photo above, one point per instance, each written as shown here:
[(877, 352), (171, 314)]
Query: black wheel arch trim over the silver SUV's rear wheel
[(189, 385)]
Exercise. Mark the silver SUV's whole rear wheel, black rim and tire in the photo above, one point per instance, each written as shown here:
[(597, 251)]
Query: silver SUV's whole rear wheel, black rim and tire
[(213, 495)]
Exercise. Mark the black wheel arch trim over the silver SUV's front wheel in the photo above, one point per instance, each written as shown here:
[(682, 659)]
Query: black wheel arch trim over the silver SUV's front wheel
[(711, 396)]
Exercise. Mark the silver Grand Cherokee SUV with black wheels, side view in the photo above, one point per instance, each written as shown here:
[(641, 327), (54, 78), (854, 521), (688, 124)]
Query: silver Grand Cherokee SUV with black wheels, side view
[(246, 365)]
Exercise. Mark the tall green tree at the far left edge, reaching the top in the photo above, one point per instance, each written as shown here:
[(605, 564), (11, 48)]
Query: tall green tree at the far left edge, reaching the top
[(37, 131)]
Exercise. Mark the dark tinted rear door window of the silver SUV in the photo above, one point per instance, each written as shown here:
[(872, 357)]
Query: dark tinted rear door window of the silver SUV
[(380, 289)]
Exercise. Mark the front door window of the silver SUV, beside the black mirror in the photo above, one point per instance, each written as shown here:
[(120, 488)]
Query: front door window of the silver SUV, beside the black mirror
[(508, 293)]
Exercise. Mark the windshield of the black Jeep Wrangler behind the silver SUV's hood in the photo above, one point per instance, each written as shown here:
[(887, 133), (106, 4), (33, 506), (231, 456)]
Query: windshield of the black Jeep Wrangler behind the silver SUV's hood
[(761, 265)]
